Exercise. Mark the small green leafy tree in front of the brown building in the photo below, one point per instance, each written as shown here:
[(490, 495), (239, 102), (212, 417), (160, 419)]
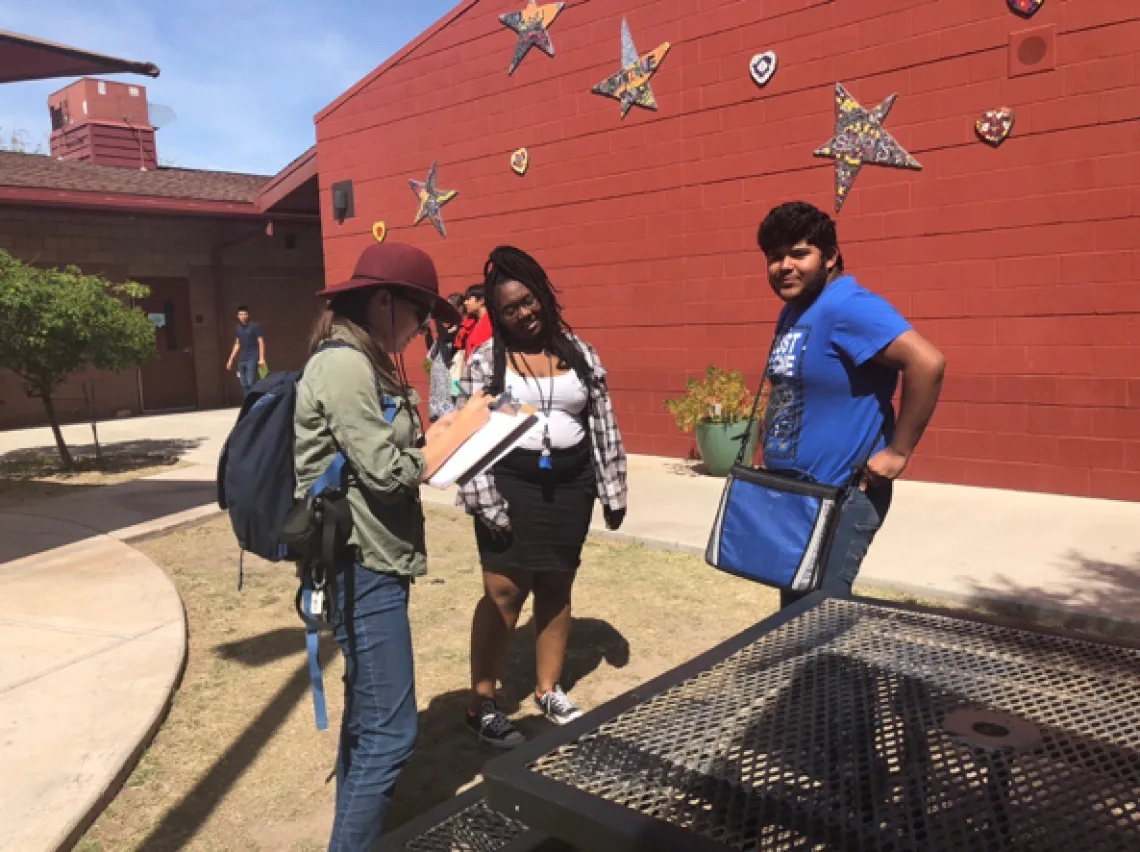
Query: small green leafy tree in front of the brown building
[(58, 322)]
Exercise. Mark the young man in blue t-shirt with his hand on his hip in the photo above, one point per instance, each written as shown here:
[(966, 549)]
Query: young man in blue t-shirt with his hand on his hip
[(834, 370)]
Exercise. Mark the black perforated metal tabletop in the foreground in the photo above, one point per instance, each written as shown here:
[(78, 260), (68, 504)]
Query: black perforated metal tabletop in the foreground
[(850, 726)]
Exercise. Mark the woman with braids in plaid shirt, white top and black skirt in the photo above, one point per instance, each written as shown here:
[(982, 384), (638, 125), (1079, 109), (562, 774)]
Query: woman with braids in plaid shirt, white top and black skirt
[(533, 509)]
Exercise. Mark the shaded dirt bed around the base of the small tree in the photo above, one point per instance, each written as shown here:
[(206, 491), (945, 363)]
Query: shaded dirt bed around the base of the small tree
[(30, 475)]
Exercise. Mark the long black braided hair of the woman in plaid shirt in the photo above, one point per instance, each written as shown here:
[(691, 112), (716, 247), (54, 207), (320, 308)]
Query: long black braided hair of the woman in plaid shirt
[(510, 264)]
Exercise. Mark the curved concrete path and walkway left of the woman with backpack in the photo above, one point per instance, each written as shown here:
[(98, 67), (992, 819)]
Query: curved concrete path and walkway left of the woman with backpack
[(94, 634)]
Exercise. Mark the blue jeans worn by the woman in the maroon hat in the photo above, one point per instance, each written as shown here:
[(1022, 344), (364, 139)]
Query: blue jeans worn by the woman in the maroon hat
[(379, 728)]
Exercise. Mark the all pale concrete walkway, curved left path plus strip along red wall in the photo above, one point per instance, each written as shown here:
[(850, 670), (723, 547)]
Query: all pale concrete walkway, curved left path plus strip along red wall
[(95, 634)]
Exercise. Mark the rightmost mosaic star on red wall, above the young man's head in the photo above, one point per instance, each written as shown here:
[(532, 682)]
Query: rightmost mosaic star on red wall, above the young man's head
[(861, 139)]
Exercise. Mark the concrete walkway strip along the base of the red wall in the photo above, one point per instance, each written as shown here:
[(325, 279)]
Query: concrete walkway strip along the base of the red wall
[(1065, 561)]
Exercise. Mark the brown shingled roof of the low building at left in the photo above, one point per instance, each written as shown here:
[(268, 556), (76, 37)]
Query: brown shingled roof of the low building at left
[(45, 173)]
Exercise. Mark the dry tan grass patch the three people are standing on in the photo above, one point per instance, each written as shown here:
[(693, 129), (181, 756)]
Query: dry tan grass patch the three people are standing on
[(239, 765)]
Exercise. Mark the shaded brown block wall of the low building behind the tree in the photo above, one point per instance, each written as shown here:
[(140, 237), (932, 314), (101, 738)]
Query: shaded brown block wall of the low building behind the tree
[(278, 283)]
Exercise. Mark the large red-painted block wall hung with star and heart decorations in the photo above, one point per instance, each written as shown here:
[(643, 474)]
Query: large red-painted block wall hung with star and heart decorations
[(1022, 263)]
